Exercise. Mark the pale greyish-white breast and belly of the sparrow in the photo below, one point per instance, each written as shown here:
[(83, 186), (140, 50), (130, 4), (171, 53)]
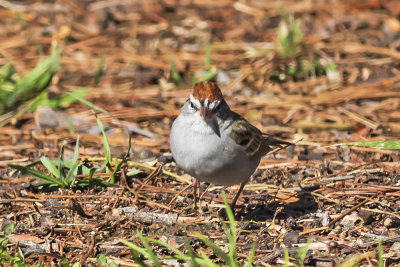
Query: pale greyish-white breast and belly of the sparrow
[(200, 152)]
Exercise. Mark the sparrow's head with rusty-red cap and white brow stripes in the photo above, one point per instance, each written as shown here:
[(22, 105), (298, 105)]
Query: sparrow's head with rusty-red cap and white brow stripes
[(206, 98)]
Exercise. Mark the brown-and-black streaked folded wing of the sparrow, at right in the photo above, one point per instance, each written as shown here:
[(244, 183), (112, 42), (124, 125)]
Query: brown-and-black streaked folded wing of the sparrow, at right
[(252, 140)]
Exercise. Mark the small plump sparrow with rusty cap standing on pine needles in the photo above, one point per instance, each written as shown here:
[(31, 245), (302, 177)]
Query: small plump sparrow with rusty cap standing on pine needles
[(214, 144)]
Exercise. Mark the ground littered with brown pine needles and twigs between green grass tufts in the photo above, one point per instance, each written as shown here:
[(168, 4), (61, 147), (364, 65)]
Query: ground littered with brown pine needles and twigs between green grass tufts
[(129, 53)]
